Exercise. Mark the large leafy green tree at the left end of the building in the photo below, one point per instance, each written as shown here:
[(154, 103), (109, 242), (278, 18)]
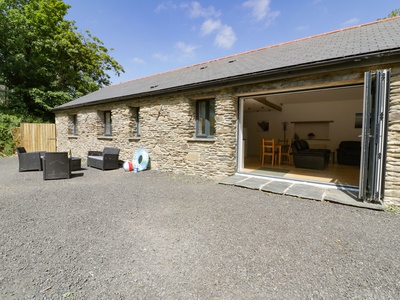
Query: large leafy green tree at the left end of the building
[(45, 61)]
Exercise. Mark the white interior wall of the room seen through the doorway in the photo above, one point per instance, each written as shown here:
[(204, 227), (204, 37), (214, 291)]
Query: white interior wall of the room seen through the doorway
[(342, 113)]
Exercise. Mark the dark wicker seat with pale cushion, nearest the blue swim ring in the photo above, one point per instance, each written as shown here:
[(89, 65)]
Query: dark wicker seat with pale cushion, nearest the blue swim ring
[(104, 160)]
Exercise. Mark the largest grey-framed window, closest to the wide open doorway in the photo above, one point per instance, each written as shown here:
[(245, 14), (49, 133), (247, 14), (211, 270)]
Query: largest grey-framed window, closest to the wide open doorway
[(205, 118)]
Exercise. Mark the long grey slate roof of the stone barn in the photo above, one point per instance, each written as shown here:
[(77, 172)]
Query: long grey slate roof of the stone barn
[(363, 40)]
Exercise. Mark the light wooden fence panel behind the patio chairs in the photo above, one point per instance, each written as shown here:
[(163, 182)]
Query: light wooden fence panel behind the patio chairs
[(38, 137)]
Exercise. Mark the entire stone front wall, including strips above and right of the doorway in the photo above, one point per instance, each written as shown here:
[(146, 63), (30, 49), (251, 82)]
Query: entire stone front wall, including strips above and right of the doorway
[(167, 127)]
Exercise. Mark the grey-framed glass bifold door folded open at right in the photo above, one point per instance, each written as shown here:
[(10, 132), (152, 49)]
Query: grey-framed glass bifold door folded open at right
[(374, 135)]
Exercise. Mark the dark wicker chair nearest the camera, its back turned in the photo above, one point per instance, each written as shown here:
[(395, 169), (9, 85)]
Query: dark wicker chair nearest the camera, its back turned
[(56, 165)]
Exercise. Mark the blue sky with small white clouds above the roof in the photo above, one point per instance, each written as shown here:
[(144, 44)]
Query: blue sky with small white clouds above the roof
[(154, 36)]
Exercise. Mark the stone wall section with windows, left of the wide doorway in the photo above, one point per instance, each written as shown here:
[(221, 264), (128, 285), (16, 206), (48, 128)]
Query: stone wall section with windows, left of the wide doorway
[(167, 131)]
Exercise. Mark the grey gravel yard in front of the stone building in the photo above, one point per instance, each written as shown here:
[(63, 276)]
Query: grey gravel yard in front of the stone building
[(151, 235)]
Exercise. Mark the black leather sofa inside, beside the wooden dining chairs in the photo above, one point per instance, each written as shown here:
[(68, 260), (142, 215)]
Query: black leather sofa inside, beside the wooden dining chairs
[(305, 157)]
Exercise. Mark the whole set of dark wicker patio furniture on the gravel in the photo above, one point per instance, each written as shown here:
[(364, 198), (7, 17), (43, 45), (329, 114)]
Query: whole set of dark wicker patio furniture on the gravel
[(59, 165)]
